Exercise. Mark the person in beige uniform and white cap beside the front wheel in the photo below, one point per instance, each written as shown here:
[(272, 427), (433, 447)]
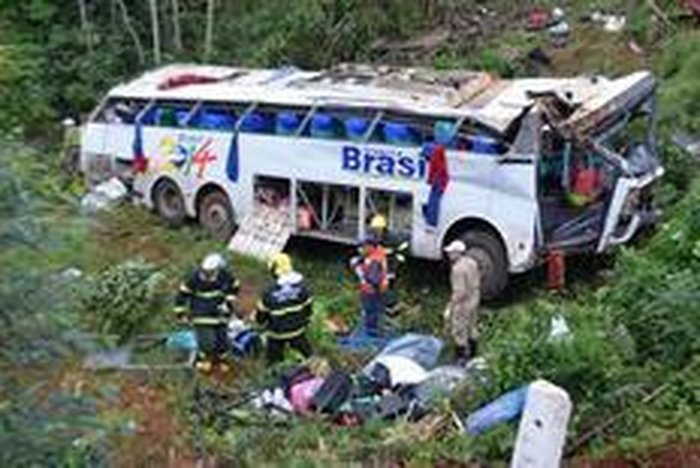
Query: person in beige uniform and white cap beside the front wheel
[(461, 313)]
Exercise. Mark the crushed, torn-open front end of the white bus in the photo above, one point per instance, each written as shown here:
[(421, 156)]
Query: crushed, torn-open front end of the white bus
[(597, 167)]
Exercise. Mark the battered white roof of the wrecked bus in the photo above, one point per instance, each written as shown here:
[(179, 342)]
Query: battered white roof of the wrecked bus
[(479, 96)]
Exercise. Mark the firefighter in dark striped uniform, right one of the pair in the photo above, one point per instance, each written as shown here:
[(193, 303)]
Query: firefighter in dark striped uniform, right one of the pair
[(285, 310)]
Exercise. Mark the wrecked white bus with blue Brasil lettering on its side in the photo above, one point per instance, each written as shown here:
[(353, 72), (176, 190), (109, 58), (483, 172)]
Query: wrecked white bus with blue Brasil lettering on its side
[(516, 168)]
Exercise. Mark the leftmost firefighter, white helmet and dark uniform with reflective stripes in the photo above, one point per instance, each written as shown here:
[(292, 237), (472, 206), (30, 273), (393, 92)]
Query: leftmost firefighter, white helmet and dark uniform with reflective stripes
[(206, 300)]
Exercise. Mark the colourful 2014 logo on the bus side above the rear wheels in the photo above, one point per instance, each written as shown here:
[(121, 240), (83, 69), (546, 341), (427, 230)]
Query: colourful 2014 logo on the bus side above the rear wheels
[(189, 154)]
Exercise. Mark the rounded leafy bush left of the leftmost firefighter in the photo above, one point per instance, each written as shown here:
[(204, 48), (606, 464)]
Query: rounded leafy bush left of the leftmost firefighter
[(121, 299)]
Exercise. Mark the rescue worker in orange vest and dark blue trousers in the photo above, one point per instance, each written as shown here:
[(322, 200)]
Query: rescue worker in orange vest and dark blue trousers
[(372, 270)]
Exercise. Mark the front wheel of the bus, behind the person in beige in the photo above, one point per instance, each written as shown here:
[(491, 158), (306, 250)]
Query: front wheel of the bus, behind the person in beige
[(489, 253)]
